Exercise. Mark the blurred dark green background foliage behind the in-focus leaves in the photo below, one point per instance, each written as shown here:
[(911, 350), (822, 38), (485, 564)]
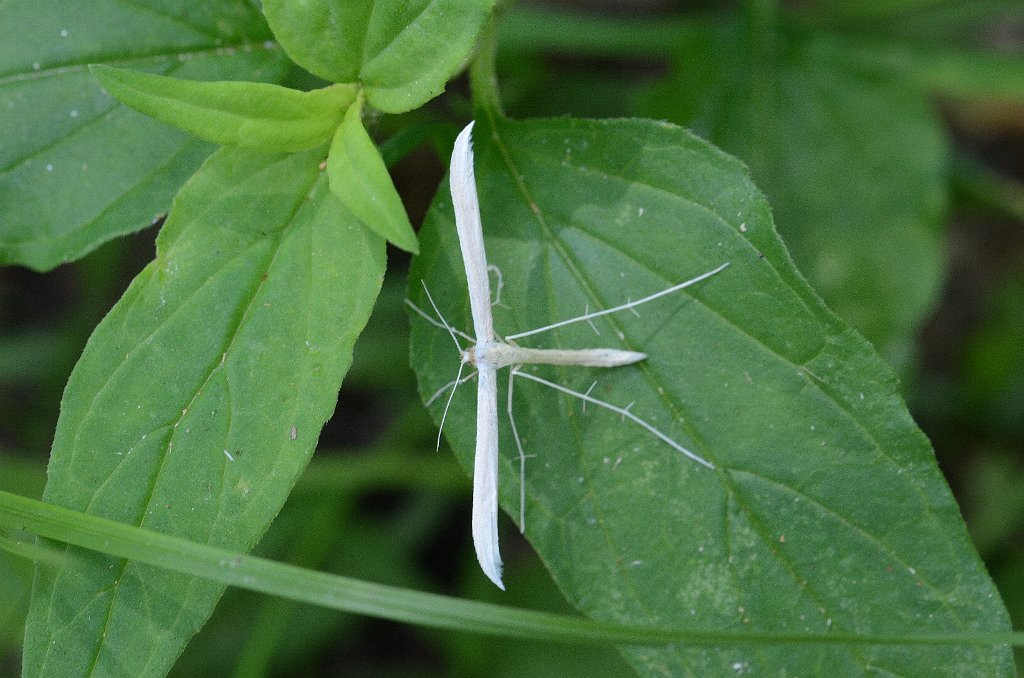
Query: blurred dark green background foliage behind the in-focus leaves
[(961, 347)]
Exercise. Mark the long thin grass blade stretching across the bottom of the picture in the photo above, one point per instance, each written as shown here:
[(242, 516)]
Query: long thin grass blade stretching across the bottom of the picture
[(395, 604)]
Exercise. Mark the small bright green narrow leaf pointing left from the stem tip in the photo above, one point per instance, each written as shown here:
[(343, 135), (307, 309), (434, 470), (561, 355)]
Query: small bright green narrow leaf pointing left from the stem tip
[(248, 114)]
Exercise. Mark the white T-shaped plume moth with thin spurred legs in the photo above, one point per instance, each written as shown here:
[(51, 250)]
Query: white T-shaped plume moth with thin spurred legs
[(489, 354)]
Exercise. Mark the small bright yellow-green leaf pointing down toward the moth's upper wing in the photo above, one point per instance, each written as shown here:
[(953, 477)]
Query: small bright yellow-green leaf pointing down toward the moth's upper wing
[(360, 180)]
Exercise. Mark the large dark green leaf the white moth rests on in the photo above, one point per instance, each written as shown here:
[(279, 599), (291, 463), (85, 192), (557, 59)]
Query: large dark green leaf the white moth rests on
[(826, 512)]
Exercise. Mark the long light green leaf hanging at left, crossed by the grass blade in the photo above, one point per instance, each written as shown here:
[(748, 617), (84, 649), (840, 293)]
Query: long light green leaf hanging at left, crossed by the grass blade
[(199, 401)]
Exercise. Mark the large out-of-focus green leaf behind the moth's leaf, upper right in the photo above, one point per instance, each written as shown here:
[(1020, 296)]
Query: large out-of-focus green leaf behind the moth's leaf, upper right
[(855, 166)]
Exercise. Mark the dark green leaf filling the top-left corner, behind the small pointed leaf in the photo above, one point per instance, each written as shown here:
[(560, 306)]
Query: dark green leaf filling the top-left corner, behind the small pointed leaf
[(78, 169)]
